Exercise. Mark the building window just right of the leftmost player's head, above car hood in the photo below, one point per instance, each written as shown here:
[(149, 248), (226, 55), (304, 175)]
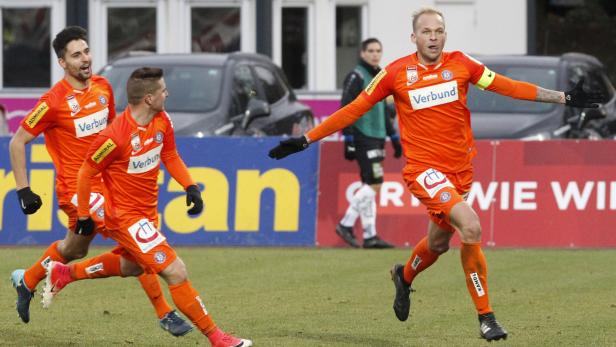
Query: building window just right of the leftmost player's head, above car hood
[(130, 29)]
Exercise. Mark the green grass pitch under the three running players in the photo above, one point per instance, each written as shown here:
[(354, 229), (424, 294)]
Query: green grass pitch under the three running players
[(333, 297)]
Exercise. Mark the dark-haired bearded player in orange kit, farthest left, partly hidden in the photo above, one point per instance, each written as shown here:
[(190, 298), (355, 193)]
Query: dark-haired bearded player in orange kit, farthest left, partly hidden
[(70, 115)]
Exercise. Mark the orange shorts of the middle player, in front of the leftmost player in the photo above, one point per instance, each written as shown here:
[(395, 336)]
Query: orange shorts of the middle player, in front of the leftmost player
[(141, 242)]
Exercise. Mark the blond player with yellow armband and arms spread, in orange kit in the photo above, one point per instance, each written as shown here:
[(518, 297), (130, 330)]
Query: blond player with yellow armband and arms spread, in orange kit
[(429, 89)]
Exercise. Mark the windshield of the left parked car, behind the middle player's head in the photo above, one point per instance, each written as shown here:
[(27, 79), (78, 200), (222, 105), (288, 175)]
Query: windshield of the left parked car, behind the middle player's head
[(191, 88)]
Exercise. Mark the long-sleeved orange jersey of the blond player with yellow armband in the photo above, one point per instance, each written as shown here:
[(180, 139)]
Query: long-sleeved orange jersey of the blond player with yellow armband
[(434, 121)]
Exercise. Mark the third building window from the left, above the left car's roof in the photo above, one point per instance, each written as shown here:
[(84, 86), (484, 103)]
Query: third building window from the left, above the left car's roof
[(215, 29)]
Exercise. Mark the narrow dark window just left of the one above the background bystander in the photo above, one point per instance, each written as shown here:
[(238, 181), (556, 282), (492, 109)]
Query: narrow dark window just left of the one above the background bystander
[(295, 45)]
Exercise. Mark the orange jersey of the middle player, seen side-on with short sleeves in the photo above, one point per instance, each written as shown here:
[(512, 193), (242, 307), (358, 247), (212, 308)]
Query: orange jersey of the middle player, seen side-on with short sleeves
[(129, 155)]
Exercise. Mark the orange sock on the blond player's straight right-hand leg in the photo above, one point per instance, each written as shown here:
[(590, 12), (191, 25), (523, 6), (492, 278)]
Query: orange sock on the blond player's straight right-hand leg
[(476, 271)]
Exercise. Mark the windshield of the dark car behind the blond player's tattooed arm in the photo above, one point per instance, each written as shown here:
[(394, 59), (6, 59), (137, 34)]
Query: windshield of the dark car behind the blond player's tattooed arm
[(485, 101)]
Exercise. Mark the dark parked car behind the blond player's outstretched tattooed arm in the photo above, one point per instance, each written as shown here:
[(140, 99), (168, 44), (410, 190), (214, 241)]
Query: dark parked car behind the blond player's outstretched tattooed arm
[(497, 117)]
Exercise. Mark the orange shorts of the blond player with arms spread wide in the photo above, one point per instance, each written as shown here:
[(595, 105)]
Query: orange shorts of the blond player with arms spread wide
[(439, 192)]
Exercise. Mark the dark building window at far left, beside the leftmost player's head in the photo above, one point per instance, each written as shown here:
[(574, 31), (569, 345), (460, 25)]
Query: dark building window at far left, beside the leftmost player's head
[(25, 47)]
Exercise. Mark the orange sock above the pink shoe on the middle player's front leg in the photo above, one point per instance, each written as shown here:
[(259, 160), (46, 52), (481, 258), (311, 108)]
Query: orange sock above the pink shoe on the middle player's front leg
[(188, 301)]
